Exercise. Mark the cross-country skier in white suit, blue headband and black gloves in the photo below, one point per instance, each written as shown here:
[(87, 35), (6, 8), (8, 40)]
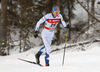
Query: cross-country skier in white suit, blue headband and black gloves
[(51, 20)]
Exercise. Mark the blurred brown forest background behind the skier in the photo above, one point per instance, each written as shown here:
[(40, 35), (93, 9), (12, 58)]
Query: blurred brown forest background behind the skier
[(18, 19)]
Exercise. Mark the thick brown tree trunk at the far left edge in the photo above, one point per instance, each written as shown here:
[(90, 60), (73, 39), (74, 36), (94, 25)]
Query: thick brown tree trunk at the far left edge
[(4, 23)]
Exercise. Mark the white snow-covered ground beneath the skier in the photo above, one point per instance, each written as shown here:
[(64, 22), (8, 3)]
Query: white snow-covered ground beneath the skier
[(75, 61)]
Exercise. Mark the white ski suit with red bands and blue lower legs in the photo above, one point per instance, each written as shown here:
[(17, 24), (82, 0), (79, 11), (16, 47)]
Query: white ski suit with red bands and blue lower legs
[(51, 22)]
